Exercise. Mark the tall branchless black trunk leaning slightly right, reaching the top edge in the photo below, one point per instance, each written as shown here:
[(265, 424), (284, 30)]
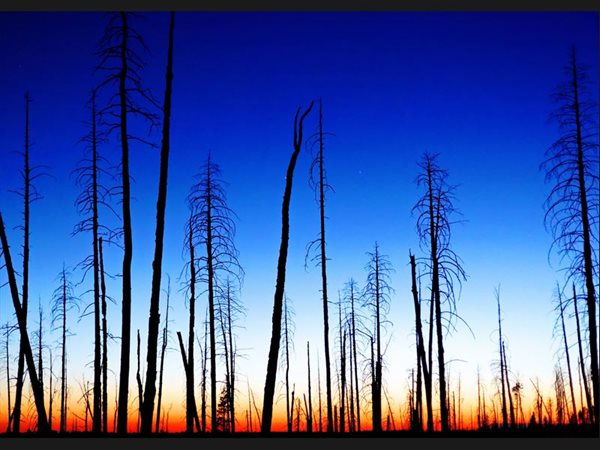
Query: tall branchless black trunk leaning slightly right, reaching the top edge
[(161, 204)]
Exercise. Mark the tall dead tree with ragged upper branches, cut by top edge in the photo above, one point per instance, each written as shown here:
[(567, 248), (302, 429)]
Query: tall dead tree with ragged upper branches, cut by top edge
[(120, 60)]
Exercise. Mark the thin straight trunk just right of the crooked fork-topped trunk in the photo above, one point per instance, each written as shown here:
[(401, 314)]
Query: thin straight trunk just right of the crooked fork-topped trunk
[(324, 266)]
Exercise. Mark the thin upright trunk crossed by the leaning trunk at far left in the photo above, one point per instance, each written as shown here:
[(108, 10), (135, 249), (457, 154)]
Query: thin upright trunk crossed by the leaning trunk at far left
[(25, 286)]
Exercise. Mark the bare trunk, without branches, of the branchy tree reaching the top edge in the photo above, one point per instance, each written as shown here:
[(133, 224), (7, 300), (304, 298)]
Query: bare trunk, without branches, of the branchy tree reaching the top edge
[(127, 235)]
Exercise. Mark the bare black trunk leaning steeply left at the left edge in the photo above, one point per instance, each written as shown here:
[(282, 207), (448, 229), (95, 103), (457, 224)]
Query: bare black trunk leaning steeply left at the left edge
[(38, 394)]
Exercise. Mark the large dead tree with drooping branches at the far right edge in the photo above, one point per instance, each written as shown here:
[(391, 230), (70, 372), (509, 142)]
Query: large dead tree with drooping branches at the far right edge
[(571, 166)]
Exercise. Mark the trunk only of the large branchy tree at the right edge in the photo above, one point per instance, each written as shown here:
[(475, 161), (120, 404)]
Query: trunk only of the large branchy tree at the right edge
[(588, 269)]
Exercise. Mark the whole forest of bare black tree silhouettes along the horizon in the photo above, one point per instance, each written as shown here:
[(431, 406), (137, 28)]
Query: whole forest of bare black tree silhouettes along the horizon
[(334, 383)]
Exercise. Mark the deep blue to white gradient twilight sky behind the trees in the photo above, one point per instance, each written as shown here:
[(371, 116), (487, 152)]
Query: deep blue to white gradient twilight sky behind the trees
[(473, 87)]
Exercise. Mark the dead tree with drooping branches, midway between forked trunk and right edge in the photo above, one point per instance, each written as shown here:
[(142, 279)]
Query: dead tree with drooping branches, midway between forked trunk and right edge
[(436, 213)]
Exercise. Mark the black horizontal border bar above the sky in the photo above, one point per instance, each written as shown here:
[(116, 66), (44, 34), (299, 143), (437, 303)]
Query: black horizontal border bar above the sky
[(300, 5)]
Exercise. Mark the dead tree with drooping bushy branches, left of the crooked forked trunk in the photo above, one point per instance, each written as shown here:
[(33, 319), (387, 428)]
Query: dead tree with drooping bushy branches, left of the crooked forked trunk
[(213, 230)]
